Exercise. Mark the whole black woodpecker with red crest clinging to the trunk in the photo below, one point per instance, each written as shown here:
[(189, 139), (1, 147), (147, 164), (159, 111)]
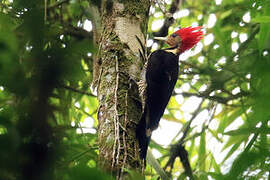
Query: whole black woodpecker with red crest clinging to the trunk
[(161, 76)]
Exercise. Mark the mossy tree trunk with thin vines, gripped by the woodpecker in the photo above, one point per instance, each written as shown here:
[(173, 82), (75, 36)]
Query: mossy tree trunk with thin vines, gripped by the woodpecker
[(120, 66)]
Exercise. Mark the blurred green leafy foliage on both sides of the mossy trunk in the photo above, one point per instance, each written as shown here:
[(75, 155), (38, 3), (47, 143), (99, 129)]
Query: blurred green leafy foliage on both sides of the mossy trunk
[(221, 98)]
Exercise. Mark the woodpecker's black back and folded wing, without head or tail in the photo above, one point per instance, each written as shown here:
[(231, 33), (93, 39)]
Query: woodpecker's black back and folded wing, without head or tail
[(161, 76)]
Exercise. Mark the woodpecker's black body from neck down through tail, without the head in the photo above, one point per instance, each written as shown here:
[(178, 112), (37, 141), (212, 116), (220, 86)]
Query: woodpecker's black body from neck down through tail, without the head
[(161, 76)]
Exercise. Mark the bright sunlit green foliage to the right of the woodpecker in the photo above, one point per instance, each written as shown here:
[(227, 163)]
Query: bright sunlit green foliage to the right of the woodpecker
[(228, 73)]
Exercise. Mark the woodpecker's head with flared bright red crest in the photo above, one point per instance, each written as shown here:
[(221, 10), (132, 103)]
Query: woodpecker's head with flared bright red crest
[(188, 37)]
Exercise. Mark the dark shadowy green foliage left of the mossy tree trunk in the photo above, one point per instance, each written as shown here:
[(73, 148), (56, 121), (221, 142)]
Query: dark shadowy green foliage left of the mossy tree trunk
[(46, 73)]
